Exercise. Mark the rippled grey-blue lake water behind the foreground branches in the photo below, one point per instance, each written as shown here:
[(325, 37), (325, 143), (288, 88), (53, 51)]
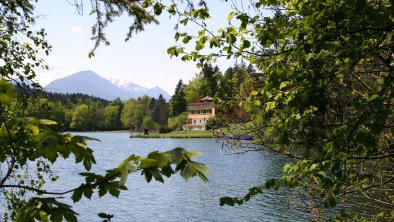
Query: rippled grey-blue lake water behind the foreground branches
[(176, 199)]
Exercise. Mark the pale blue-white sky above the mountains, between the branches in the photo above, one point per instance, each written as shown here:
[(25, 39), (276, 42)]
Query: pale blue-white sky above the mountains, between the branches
[(142, 60)]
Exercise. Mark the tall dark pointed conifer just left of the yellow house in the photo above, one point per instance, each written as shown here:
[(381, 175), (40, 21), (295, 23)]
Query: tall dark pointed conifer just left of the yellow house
[(178, 102)]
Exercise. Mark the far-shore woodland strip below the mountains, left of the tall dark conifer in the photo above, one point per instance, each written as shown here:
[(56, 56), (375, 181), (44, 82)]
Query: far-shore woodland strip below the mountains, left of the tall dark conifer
[(78, 112)]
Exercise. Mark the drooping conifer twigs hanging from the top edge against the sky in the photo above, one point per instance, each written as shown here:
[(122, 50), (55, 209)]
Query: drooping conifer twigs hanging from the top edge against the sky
[(141, 13)]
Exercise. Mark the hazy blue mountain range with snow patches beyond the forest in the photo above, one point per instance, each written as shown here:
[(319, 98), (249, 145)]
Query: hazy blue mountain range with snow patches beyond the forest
[(90, 83)]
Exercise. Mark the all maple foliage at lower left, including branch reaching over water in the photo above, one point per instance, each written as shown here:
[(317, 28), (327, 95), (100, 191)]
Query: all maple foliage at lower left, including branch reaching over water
[(32, 139)]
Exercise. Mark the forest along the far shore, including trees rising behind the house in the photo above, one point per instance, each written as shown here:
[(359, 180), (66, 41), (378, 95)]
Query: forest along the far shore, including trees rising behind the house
[(78, 112)]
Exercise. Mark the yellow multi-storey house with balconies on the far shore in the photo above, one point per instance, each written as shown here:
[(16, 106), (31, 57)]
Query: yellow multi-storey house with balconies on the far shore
[(200, 112)]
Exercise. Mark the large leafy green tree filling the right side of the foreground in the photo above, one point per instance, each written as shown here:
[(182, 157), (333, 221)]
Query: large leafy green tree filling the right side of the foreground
[(328, 90)]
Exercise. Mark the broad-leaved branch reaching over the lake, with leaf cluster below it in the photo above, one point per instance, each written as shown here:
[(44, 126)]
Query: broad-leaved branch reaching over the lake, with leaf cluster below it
[(155, 165)]
